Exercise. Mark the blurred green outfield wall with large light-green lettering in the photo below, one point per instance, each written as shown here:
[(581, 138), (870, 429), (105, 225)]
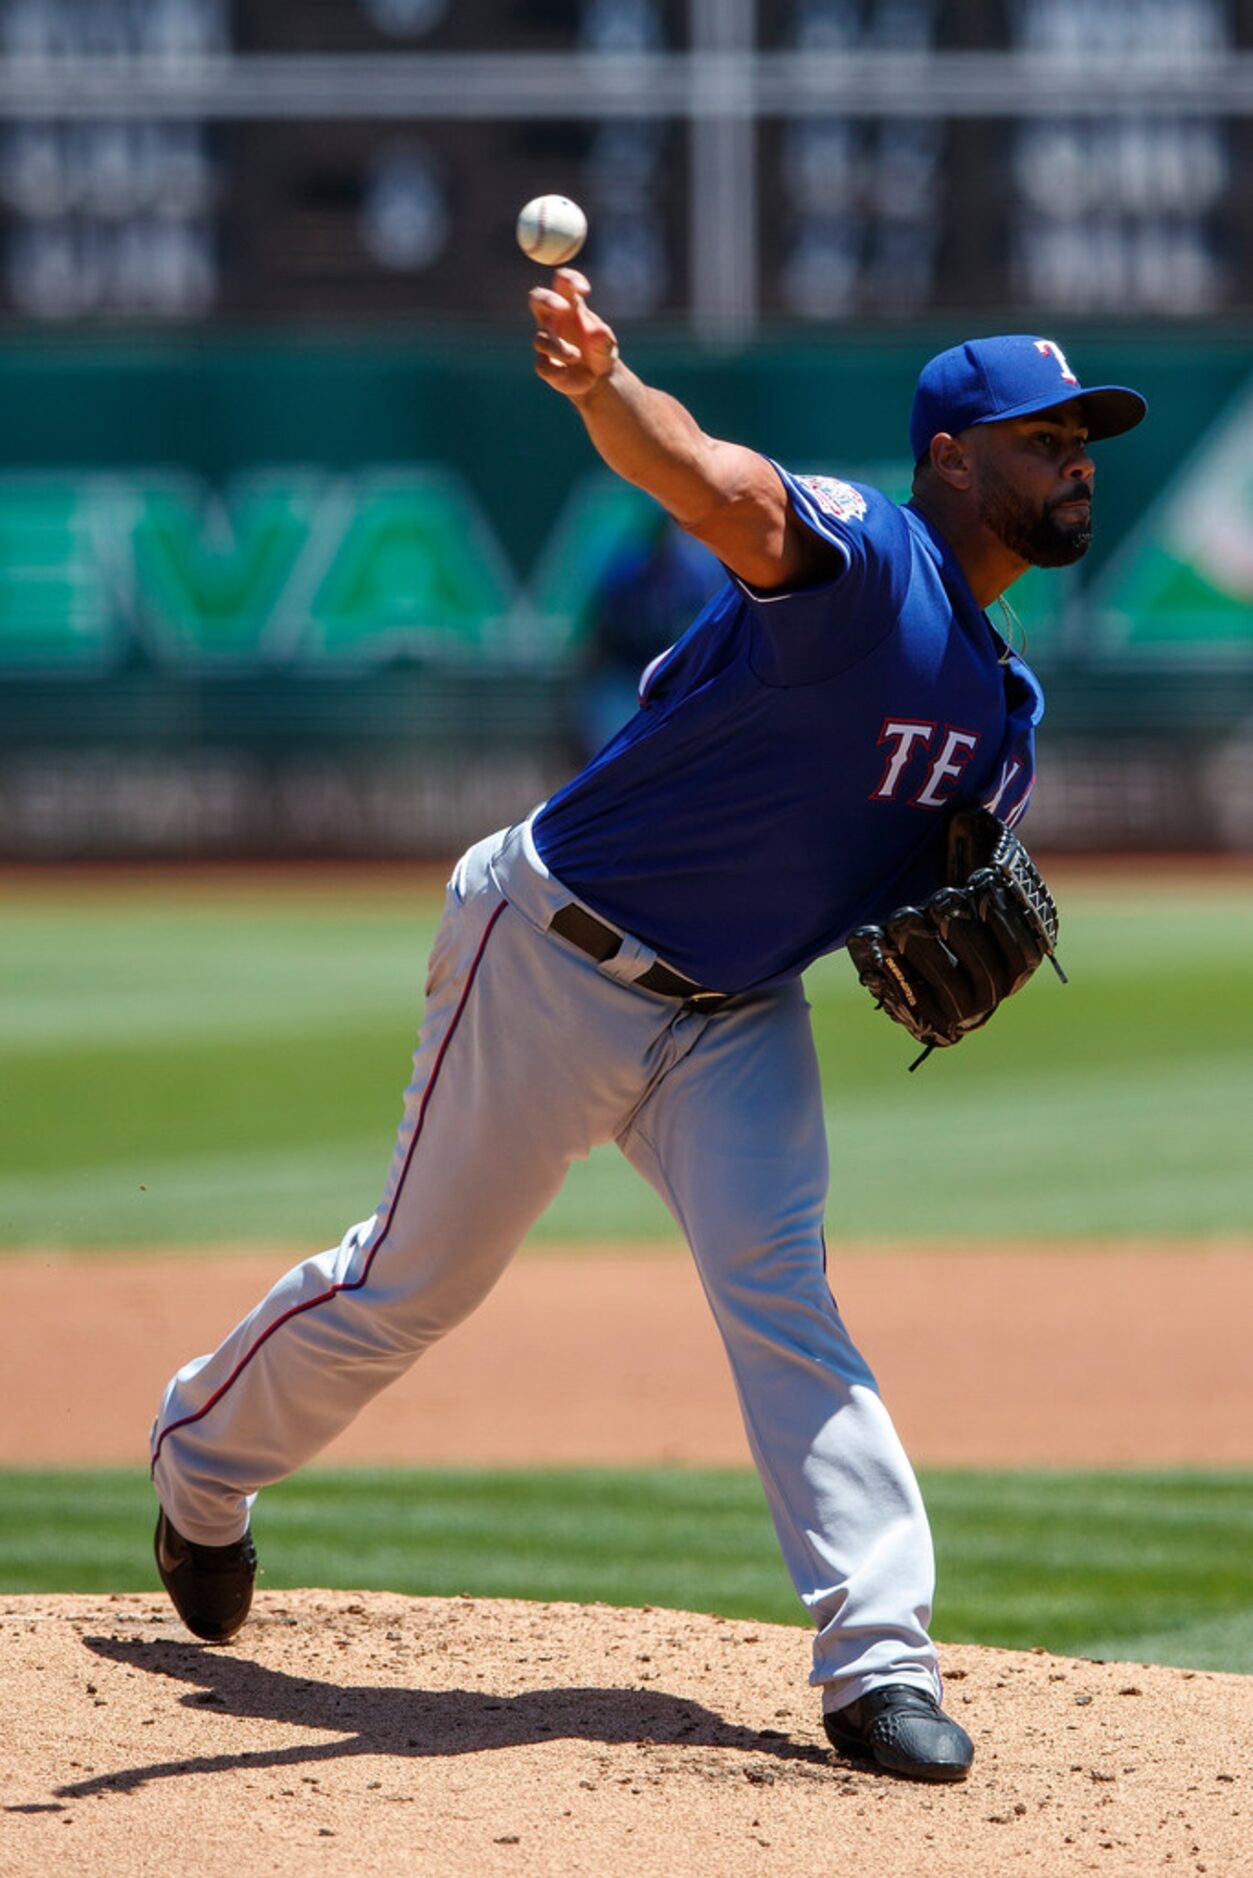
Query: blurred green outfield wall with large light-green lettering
[(266, 589)]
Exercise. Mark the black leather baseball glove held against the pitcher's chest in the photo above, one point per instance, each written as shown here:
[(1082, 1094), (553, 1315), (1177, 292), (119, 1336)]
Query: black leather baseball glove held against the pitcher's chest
[(944, 968)]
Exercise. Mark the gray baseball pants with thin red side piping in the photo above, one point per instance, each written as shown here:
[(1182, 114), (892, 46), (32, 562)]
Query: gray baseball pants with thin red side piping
[(531, 1054)]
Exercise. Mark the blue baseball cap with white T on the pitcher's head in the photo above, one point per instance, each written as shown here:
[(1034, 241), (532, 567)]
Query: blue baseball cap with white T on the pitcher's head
[(1012, 377)]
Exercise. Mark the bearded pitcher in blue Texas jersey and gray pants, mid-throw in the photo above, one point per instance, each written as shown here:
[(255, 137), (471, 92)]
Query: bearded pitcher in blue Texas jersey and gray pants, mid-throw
[(625, 964)]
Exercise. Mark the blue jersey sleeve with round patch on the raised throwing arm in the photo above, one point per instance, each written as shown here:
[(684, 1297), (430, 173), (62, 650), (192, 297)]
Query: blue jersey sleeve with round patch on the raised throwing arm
[(807, 636)]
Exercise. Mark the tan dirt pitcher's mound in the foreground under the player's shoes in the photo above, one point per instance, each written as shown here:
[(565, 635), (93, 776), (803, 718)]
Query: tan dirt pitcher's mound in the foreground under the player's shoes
[(382, 1734)]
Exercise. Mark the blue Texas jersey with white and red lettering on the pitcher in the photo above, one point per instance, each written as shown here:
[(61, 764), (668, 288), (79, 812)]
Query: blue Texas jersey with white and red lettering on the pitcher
[(796, 758)]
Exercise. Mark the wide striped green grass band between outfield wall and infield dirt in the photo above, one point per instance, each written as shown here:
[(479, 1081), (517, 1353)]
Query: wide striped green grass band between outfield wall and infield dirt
[(187, 1068)]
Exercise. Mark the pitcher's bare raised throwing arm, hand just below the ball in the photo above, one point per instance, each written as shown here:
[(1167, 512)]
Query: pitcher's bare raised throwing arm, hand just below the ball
[(724, 495)]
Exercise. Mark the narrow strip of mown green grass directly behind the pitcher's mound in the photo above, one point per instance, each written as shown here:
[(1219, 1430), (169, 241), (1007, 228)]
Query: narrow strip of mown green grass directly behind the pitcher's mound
[(1136, 1567)]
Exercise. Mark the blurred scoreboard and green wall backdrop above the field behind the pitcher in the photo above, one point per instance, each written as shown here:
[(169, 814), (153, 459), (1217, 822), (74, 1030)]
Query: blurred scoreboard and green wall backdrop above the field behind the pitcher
[(298, 557)]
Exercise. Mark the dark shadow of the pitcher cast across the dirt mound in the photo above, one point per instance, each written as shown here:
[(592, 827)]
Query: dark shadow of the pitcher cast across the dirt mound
[(410, 1721)]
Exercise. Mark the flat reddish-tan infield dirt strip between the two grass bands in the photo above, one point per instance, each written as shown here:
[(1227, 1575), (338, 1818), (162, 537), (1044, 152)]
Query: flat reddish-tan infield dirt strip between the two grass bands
[(1100, 1357)]
